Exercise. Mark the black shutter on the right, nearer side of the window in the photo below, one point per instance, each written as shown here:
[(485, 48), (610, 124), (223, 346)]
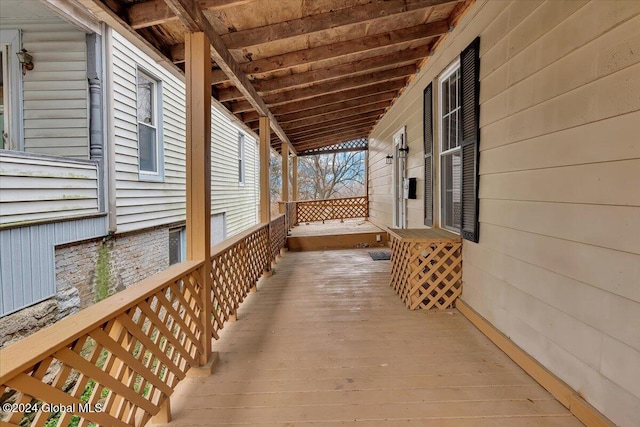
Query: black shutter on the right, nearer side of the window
[(470, 128)]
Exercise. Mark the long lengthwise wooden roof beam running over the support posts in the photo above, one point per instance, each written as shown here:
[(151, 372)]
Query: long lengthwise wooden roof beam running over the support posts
[(192, 16)]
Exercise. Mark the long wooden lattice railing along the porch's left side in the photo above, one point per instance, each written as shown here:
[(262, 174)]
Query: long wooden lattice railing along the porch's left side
[(116, 362)]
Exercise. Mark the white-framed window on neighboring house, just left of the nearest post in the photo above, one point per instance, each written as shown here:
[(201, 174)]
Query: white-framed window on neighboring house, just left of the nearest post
[(148, 105)]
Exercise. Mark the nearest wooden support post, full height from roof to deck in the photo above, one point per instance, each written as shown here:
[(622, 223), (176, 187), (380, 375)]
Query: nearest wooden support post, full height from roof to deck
[(198, 150)]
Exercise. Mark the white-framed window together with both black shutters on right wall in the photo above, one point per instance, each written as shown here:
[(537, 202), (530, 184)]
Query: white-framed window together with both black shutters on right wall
[(458, 116)]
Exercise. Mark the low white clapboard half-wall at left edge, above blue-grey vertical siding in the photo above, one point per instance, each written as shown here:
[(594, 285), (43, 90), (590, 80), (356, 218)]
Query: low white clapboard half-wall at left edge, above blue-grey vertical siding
[(42, 188)]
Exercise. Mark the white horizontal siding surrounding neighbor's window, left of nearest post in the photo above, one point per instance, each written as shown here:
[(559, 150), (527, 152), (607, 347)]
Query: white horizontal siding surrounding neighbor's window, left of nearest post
[(141, 204)]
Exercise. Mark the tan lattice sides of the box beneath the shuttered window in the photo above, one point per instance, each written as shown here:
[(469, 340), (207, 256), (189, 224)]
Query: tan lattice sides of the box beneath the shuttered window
[(426, 274)]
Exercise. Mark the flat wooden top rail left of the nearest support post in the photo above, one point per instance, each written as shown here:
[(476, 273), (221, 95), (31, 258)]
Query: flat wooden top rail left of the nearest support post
[(23, 354)]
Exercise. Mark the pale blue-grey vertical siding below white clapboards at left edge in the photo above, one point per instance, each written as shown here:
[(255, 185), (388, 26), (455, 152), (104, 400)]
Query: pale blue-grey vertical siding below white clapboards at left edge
[(27, 264)]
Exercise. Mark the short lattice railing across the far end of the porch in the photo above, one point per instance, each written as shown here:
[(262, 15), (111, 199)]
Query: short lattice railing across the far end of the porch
[(322, 210)]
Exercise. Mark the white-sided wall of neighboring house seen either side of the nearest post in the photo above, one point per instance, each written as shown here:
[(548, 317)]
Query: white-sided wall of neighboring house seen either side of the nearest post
[(142, 204)]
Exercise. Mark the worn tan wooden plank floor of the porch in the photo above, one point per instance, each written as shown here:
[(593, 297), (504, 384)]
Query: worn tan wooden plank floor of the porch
[(326, 341)]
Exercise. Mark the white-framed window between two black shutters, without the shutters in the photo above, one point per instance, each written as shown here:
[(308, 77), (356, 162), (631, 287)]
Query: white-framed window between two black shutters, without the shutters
[(449, 147)]
